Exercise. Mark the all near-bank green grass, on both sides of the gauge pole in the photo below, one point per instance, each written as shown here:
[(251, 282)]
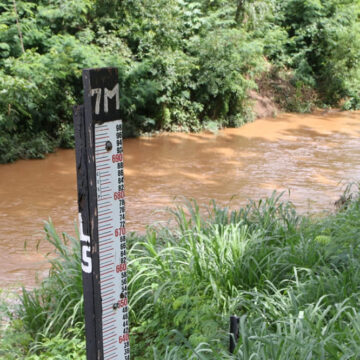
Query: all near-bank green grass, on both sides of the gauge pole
[(293, 280)]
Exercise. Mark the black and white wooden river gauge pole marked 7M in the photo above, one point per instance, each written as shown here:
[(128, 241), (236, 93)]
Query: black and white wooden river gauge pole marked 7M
[(101, 199)]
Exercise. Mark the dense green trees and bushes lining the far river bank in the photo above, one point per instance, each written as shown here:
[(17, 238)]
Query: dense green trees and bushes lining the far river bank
[(182, 63)]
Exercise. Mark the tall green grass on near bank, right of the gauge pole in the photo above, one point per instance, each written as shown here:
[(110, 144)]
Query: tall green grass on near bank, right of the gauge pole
[(296, 293)]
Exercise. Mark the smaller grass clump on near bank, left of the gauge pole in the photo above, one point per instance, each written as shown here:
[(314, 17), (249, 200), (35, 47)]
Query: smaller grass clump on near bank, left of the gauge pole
[(47, 322)]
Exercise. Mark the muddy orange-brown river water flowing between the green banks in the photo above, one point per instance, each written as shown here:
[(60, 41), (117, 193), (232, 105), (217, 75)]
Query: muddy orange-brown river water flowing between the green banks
[(313, 156)]
